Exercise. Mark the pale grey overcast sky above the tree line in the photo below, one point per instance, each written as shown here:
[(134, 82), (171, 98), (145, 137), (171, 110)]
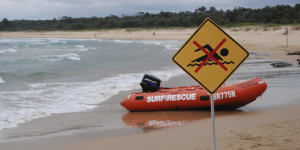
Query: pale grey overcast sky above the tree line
[(48, 9)]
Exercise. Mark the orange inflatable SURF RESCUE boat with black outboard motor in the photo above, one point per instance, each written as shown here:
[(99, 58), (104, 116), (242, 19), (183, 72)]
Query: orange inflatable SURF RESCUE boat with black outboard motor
[(154, 98)]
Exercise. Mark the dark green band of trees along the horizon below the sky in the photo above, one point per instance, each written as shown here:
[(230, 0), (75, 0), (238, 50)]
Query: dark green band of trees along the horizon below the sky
[(280, 14)]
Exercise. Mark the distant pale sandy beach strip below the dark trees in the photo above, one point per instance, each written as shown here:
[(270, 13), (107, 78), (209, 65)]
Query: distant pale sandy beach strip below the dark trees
[(270, 41)]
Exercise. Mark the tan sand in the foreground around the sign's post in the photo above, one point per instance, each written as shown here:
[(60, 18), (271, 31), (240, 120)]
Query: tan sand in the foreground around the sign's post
[(274, 128)]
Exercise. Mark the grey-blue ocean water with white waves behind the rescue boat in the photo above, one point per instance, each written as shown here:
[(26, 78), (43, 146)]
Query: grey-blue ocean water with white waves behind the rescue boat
[(42, 77)]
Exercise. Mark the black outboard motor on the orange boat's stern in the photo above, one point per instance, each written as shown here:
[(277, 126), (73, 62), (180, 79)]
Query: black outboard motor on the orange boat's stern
[(150, 83)]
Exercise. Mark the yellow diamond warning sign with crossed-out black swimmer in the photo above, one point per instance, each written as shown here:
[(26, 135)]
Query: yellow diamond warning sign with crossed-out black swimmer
[(210, 56)]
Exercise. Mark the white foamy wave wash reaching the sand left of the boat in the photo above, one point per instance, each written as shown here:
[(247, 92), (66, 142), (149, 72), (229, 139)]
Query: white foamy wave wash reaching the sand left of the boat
[(45, 99)]
